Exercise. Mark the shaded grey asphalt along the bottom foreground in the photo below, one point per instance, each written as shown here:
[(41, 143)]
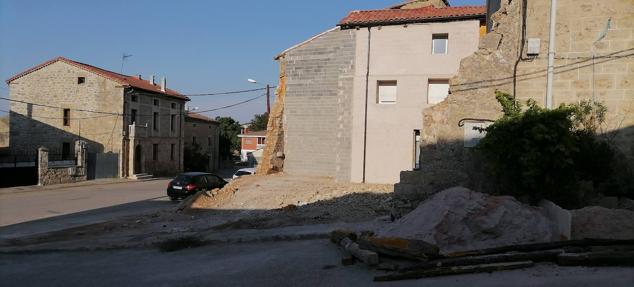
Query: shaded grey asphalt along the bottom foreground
[(286, 263)]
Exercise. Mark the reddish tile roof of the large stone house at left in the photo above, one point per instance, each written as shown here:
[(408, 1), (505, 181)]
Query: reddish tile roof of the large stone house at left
[(131, 81)]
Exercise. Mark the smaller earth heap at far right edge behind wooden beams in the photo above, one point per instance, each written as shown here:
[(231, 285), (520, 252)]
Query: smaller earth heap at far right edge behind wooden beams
[(602, 223)]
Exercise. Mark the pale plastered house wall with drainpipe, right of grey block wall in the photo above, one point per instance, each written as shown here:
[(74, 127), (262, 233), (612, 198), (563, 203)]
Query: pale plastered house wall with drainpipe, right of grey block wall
[(403, 54)]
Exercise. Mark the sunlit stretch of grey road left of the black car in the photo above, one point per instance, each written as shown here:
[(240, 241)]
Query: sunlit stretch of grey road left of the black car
[(27, 213)]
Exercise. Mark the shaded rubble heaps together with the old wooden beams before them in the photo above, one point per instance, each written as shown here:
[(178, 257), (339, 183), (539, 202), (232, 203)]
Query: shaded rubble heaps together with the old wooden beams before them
[(460, 231)]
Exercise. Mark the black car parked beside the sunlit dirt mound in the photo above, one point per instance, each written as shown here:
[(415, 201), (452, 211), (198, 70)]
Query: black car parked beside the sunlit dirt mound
[(190, 183)]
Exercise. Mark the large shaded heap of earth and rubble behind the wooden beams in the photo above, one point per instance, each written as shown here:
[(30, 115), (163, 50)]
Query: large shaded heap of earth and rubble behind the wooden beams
[(458, 219)]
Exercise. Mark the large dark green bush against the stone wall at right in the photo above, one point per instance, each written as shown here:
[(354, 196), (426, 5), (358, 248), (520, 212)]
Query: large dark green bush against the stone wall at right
[(547, 154)]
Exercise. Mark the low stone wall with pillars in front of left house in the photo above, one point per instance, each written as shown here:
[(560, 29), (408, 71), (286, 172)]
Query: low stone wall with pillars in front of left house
[(48, 175)]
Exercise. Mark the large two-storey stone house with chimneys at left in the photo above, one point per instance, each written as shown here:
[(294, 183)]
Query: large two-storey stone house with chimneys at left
[(61, 101)]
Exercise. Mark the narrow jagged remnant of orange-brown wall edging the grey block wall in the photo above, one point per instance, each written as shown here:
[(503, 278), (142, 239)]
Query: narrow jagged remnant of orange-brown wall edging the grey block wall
[(273, 155)]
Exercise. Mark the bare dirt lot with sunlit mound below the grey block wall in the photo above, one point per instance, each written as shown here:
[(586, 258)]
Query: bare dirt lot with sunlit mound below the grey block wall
[(253, 202)]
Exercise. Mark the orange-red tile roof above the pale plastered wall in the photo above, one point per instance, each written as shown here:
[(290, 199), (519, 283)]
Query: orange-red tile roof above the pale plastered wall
[(404, 16)]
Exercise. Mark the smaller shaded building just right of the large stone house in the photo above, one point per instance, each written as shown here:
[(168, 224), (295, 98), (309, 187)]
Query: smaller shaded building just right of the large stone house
[(204, 133)]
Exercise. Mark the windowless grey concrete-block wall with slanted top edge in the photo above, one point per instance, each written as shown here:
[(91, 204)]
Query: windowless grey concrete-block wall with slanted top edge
[(316, 114)]
